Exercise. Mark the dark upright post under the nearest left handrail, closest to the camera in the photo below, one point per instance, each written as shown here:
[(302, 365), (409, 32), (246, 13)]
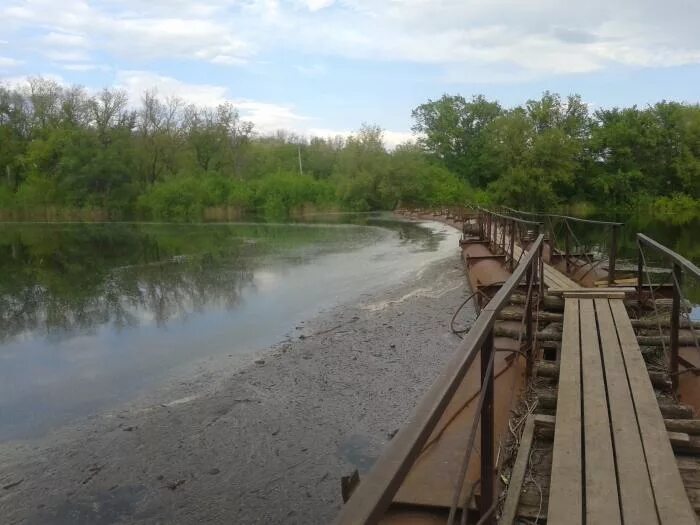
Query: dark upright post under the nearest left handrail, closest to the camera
[(487, 431)]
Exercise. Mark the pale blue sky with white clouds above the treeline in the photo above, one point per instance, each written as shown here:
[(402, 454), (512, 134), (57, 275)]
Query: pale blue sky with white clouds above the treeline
[(323, 67)]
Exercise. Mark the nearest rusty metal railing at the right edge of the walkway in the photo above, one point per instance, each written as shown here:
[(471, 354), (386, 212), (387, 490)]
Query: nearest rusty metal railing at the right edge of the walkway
[(679, 265)]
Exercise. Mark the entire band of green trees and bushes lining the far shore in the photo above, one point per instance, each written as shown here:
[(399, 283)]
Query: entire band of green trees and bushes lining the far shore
[(66, 154)]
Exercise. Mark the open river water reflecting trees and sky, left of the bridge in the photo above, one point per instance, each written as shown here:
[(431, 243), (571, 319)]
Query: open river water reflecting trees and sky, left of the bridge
[(91, 315)]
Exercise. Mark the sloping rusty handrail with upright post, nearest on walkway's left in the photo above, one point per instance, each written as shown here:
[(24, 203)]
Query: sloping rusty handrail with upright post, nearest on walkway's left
[(376, 491)]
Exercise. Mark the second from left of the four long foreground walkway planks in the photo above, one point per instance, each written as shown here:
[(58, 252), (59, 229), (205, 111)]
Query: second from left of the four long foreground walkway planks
[(602, 504)]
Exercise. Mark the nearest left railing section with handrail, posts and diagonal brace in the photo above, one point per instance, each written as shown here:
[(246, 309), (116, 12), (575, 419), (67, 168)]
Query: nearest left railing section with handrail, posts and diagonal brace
[(376, 491)]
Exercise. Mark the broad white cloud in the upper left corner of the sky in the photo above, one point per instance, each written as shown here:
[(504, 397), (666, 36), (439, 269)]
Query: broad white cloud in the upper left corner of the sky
[(130, 29)]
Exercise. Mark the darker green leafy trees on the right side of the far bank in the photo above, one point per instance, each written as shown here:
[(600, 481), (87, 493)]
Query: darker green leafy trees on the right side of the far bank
[(555, 151)]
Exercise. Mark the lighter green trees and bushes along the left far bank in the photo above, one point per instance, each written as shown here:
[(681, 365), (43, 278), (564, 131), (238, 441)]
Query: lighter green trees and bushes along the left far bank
[(66, 154)]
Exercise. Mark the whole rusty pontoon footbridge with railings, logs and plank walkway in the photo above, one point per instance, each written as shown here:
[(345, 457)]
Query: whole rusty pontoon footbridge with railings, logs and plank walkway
[(561, 405)]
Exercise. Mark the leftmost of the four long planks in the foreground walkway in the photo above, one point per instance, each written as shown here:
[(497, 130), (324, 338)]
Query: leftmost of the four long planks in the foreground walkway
[(566, 486)]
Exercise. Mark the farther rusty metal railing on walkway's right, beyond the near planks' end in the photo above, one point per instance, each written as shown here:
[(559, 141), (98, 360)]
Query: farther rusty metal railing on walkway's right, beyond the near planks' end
[(557, 226)]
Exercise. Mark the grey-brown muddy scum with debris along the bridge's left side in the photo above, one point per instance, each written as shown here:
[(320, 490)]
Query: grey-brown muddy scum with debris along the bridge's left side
[(260, 442)]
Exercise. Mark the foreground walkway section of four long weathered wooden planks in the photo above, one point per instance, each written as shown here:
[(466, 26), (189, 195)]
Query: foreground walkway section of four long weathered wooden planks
[(612, 459)]
